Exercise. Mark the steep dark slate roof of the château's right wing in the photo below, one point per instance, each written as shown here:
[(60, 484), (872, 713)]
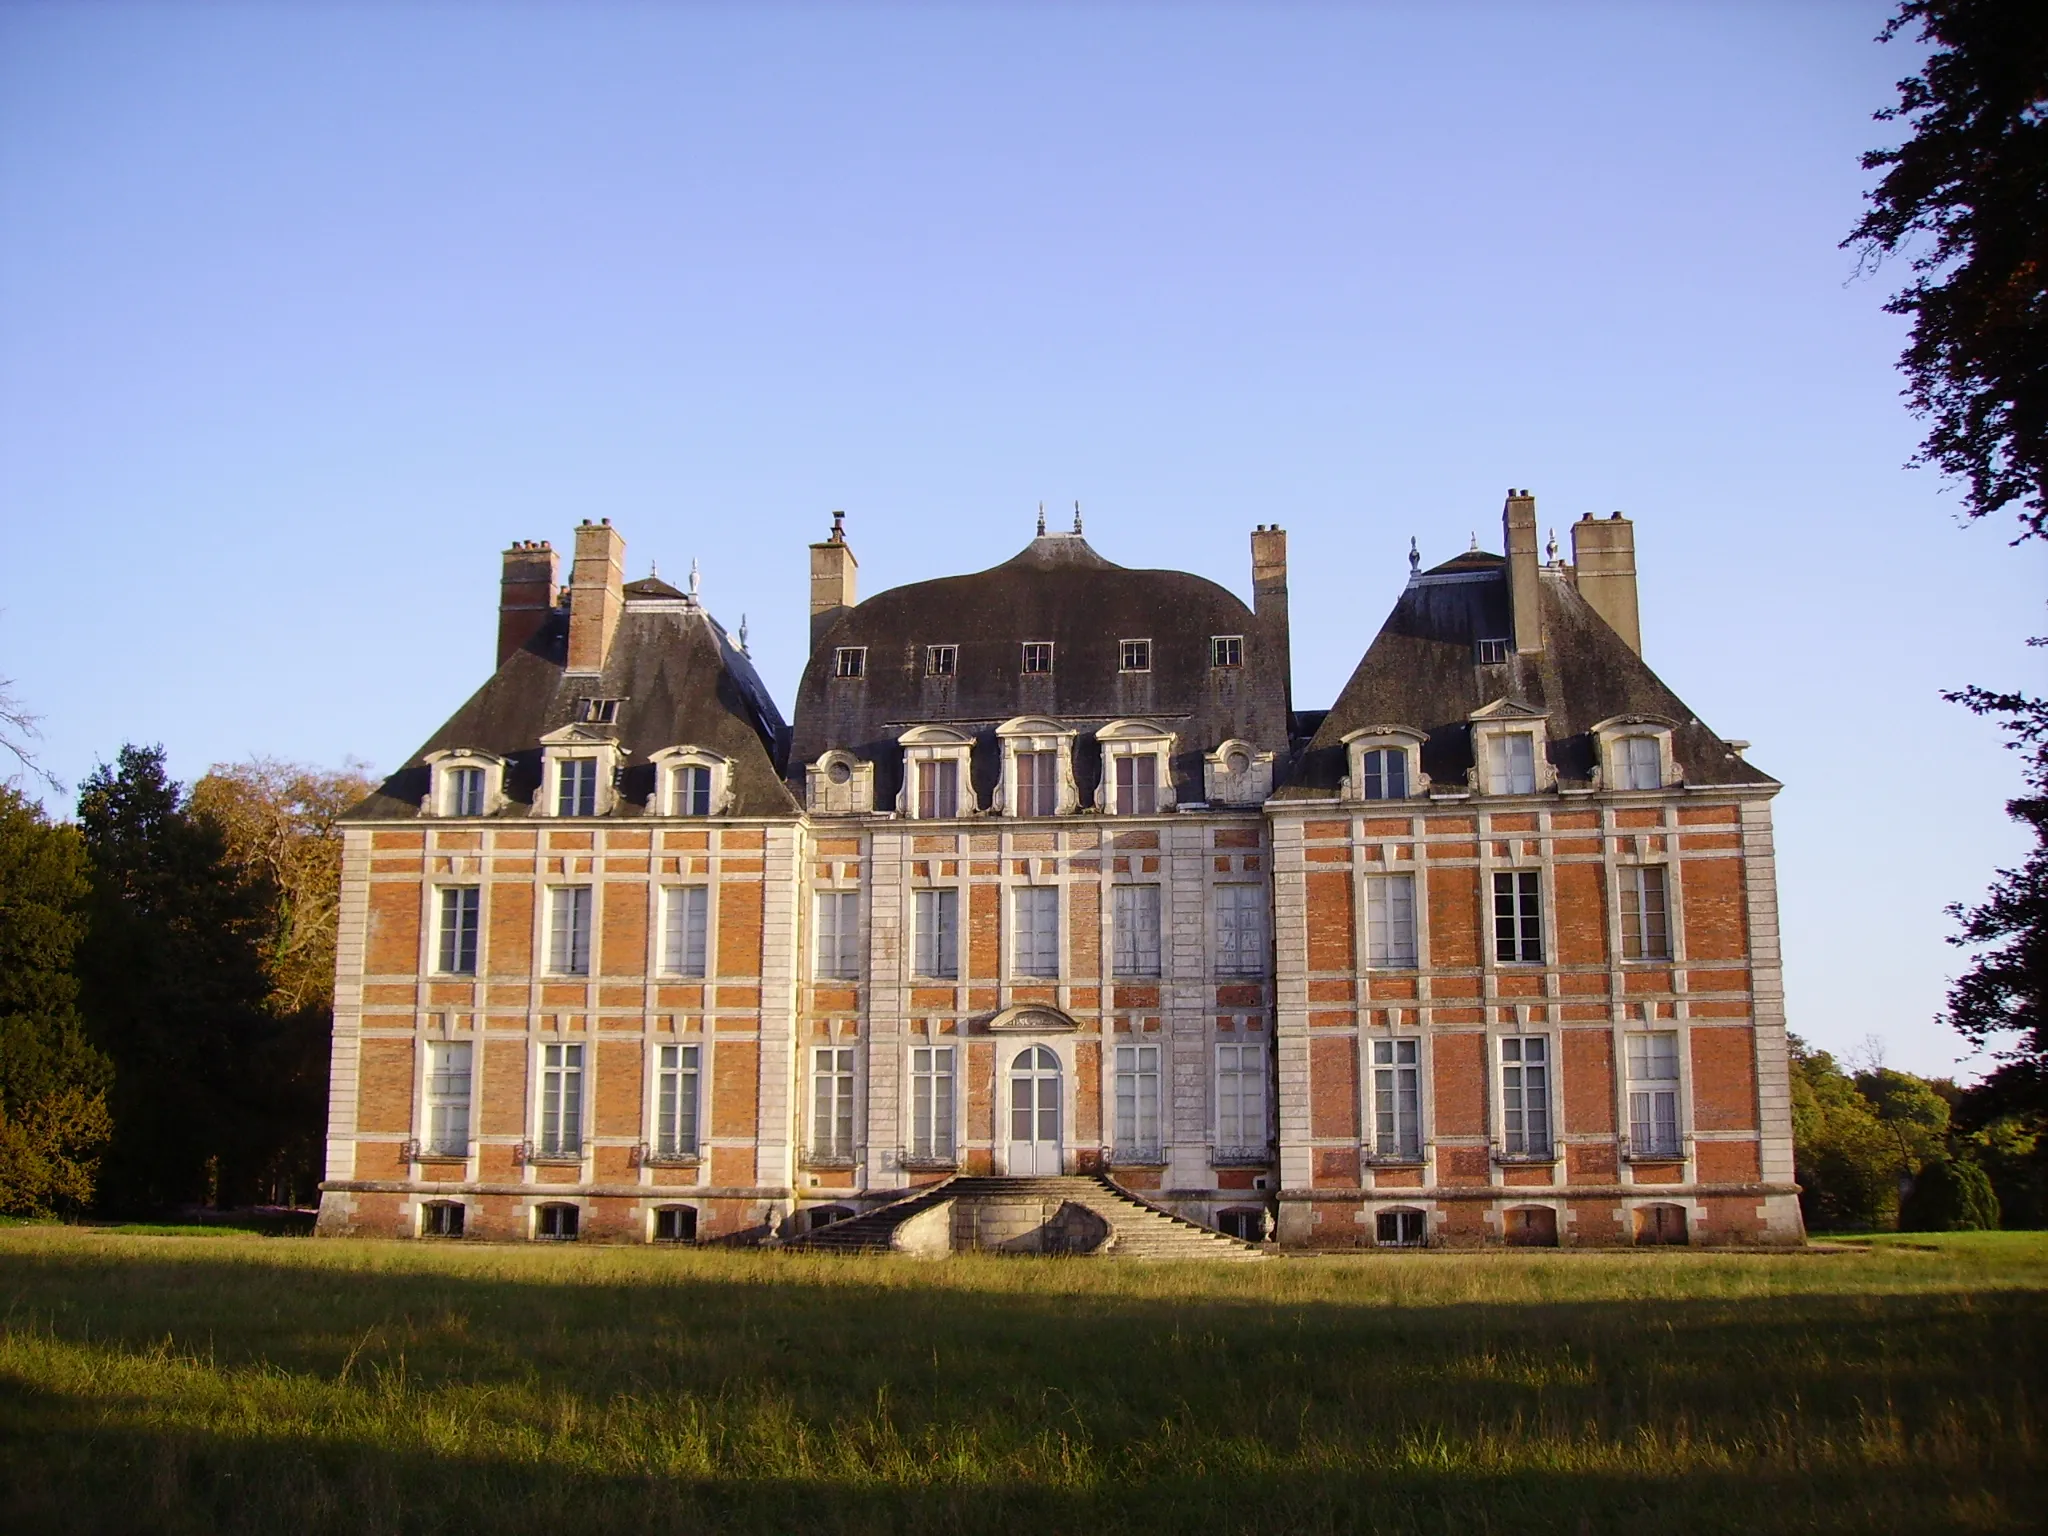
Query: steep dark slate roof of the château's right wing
[(1422, 673)]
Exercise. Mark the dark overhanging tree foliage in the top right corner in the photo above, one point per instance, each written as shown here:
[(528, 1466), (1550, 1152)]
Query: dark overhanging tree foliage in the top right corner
[(1967, 196)]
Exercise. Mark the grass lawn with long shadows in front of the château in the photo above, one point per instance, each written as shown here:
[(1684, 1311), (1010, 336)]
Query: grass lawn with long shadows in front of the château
[(292, 1385)]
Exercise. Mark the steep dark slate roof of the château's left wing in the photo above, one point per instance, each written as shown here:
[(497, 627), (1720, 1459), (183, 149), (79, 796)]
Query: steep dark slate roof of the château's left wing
[(679, 679)]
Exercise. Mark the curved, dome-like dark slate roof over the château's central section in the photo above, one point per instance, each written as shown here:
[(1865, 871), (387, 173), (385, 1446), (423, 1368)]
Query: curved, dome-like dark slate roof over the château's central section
[(1058, 589)]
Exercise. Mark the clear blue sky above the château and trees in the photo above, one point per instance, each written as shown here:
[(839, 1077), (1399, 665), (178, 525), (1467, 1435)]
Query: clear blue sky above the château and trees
[(308, 310)]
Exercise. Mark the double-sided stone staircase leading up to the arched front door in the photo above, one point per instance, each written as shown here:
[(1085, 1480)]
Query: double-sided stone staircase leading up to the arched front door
[(1082, 1215)]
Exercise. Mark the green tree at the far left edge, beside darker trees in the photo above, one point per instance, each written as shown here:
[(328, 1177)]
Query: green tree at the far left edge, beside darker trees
[(52, 1082)]
